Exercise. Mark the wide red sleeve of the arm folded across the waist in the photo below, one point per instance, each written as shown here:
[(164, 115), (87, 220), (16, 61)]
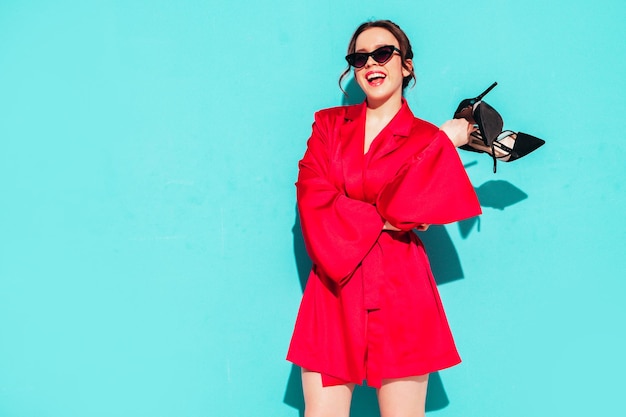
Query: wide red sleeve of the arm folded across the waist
[(338, 231)]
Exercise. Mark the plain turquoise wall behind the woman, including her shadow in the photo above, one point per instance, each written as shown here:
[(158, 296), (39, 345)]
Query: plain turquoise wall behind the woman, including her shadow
[(150, 260)]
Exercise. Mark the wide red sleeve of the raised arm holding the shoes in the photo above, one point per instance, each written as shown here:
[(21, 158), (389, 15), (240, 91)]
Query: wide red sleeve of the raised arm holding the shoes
[(432, 188)]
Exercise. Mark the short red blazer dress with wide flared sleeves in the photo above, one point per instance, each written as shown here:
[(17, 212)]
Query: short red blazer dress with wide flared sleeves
[(371, 309)]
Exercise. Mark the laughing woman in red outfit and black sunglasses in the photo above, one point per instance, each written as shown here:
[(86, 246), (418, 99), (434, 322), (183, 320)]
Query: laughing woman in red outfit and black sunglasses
[(371, 174)]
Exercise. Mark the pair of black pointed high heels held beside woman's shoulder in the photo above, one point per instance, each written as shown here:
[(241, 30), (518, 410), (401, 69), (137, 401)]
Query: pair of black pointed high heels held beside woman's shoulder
[(506, 146)]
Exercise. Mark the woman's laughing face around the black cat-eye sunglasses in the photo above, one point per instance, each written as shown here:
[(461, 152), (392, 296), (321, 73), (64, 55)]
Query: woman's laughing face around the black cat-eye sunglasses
[(380, 82)]
